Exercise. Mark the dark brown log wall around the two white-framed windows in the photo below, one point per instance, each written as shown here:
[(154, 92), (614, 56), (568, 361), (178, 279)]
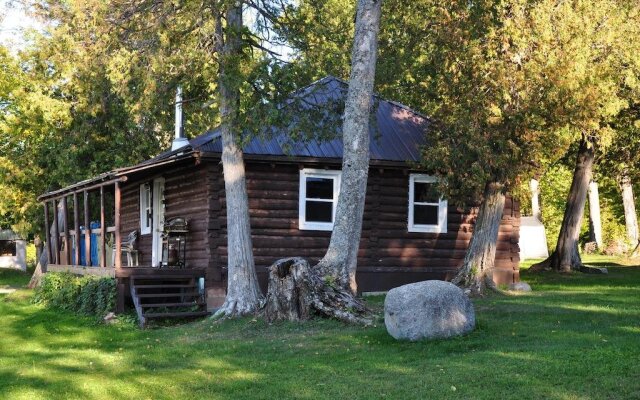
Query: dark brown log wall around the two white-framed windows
[(389, 255)]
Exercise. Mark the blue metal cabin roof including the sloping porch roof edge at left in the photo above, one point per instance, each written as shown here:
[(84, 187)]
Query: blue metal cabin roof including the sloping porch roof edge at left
[(397, 135)]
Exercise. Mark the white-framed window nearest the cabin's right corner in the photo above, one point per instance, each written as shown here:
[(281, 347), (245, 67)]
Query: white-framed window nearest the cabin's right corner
[(427, 210)]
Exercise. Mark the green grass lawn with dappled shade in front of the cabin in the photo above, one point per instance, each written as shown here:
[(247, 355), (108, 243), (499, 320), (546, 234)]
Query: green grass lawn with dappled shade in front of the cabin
[(574, 337)]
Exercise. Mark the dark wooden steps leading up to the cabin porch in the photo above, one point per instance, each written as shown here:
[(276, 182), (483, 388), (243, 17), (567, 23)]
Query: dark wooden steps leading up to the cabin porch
[(167, 296)]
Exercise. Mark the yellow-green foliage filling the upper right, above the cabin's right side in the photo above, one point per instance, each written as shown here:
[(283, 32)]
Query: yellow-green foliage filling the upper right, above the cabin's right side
[(511, 84)]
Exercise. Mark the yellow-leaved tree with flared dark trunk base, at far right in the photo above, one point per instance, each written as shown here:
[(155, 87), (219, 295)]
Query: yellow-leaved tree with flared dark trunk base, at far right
[(595, 69)]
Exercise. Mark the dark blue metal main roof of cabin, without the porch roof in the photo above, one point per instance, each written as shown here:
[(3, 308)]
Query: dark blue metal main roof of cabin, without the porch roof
[(397, 133)]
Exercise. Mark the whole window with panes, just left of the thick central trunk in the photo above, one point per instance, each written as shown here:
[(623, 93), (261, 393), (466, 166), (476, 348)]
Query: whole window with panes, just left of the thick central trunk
[(318, 197)]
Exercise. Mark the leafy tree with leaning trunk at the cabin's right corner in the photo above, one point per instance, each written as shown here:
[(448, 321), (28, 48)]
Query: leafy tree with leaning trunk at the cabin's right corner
[(486, 73)]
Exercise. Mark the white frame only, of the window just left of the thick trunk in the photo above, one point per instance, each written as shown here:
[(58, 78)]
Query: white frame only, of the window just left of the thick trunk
[(305, 173)]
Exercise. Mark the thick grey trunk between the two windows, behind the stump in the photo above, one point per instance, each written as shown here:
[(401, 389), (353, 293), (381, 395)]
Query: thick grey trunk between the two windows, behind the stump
[(340, 261)]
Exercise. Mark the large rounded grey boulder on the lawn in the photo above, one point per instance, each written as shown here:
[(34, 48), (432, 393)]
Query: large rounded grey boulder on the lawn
[(429, 309)]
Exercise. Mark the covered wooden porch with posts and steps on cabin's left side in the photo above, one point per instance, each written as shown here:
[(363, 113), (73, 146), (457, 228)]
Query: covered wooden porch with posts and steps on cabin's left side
[(152, 280)]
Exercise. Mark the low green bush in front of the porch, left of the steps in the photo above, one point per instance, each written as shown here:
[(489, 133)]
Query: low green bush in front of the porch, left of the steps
[(87, 295)]
